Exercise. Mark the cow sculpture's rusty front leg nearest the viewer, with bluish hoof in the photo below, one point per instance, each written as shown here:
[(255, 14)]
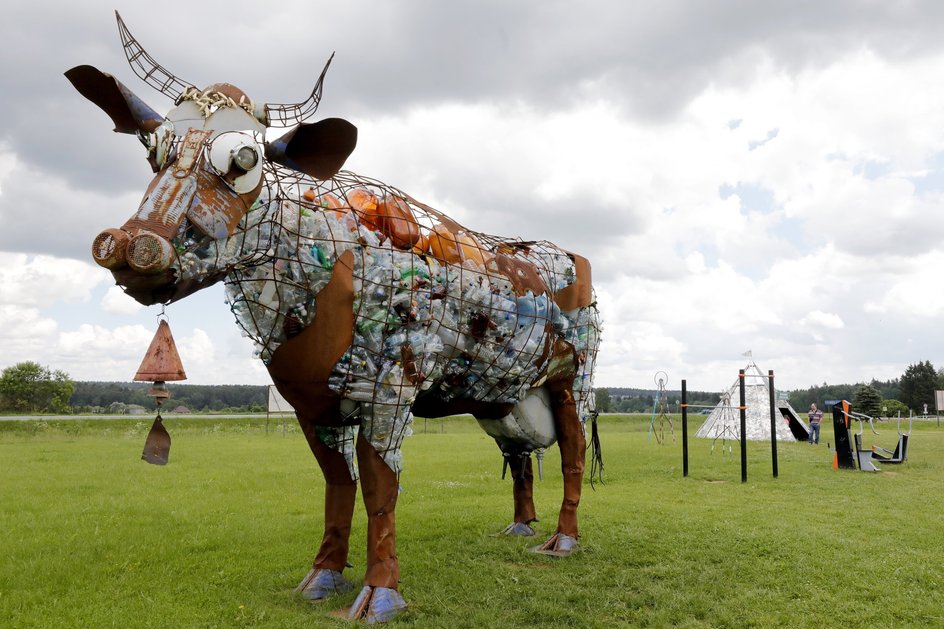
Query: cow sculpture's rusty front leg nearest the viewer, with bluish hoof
[(379, 600)]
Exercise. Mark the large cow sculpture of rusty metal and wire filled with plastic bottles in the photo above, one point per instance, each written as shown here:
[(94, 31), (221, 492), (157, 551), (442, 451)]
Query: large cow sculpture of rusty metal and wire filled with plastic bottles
[(365, 305)]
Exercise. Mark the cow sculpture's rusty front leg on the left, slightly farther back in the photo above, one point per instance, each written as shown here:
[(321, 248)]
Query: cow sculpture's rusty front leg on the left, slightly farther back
[(325, 577)]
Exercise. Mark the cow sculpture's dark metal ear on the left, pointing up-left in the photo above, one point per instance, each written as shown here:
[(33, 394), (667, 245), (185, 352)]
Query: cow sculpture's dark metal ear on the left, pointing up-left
[(129, 113)]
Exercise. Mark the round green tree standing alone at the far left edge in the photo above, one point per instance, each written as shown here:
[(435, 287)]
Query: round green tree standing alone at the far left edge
[(31, 388)]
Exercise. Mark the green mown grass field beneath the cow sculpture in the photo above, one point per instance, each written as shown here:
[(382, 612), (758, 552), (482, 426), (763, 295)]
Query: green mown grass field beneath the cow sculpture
[(94, 537)]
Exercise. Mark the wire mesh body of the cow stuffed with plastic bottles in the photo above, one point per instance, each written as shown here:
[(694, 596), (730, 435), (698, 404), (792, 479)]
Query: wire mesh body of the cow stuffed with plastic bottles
[(438, 309)]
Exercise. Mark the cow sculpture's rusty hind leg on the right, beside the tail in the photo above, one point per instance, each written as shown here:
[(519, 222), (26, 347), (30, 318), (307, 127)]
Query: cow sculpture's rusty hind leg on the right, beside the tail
[(572, 443)]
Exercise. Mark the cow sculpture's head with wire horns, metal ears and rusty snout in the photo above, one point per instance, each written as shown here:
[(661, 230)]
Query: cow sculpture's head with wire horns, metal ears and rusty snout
[(210, 156)]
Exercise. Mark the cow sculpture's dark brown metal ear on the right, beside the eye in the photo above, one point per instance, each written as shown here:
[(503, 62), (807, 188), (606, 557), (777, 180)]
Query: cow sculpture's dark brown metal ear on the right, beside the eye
[(317, 149)]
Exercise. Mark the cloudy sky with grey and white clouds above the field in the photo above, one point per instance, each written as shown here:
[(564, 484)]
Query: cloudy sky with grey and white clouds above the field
[(743, 175)]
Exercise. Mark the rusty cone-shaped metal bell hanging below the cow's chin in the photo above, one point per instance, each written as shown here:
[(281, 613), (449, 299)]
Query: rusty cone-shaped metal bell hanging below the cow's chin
[(161, 364)]
